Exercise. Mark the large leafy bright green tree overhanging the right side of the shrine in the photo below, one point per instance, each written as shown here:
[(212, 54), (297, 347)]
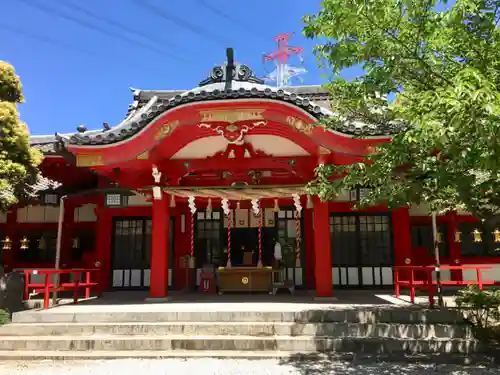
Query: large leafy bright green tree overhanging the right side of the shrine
[(431, 68)]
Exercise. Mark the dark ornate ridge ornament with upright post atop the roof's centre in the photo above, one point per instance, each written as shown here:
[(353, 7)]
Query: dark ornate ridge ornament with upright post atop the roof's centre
[(231, 71)]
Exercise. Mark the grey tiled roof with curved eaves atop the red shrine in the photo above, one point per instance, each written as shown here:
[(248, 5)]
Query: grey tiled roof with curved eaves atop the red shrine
[(148, 104)]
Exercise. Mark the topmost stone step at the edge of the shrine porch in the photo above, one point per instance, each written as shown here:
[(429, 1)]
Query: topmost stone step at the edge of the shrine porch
[(394, 315)]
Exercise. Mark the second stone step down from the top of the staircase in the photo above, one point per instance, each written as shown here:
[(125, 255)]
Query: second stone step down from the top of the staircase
[(412, 331)]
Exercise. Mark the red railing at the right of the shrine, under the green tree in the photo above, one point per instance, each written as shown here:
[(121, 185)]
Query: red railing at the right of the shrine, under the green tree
[(429, 285)]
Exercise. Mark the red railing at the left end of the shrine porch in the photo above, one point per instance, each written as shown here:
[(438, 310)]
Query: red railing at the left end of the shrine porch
[(48, 286)]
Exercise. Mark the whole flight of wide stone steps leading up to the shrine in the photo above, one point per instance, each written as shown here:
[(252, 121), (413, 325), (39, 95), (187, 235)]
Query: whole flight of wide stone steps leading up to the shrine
[(393, 333)]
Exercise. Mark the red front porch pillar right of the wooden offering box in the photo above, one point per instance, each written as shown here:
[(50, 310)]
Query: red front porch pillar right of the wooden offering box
[(322, 249)]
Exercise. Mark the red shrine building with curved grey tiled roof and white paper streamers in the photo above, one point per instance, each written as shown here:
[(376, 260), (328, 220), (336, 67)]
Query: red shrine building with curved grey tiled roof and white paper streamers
[(214, 177)]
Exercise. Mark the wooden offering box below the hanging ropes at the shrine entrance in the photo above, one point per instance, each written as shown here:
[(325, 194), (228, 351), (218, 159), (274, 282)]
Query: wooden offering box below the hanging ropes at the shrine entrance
[(245, 279)]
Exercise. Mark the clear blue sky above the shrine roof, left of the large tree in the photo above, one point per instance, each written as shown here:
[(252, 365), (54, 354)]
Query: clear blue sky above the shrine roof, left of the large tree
[(84, 76)]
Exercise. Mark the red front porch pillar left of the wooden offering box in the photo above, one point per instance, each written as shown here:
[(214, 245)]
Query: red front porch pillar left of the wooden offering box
[(159, 248)]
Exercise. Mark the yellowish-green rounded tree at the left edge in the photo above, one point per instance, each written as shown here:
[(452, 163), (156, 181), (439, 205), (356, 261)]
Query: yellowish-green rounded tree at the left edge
[(18, 161)]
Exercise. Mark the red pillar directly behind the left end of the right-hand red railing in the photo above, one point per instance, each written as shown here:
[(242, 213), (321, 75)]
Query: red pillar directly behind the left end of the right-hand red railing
[(401, 230)]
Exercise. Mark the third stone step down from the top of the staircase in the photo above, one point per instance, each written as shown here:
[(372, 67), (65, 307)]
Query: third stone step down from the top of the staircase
[(239, 343)]
